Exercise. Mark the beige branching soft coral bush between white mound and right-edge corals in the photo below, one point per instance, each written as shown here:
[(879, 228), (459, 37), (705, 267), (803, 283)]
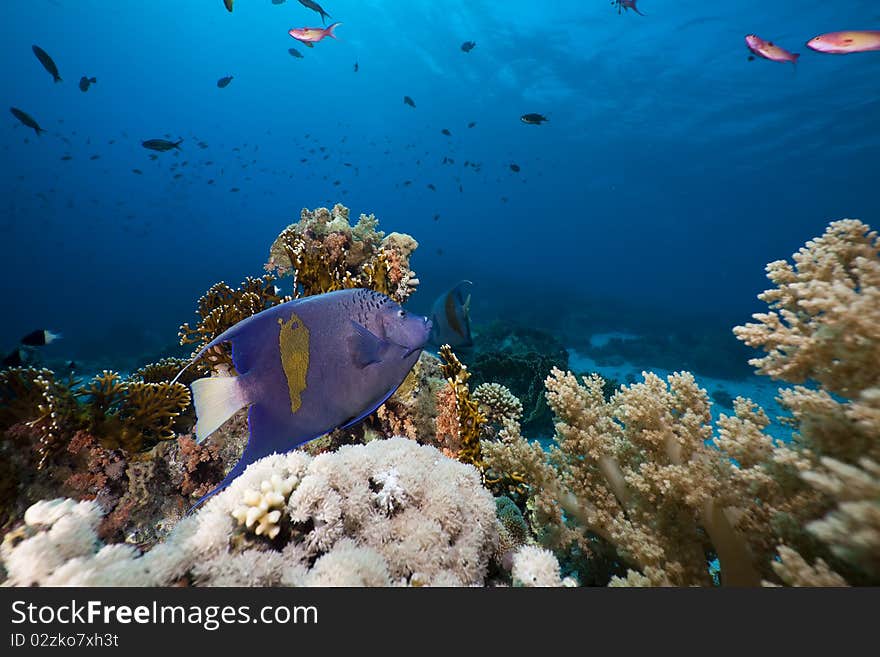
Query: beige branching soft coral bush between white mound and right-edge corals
[(635, 471)]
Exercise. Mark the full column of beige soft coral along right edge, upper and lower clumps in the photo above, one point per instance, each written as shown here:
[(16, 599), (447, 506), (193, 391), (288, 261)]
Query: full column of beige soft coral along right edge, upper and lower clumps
[(824, 328)]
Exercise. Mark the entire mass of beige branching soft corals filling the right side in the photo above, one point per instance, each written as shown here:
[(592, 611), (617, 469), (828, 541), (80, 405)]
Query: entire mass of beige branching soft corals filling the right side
[(645, 473)]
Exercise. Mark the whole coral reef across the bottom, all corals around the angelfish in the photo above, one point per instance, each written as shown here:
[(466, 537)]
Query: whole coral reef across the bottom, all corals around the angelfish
[(640, 488)]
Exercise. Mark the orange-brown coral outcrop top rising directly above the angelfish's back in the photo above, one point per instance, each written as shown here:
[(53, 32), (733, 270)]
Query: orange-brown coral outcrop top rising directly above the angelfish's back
[(324, 252)]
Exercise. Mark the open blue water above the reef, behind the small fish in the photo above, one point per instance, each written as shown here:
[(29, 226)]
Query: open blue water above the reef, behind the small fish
[(670, 172)]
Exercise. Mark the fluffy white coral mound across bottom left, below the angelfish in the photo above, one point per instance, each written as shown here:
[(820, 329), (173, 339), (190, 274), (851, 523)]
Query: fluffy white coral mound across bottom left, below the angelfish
[(390, 512)]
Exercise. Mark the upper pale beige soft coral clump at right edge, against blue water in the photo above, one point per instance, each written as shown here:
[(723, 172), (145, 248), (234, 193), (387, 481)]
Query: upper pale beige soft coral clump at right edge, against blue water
[(824, 319)]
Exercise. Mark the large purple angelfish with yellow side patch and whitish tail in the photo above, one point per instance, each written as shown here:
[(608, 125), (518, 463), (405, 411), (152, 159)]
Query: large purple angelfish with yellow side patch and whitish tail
[(307, 367)]
